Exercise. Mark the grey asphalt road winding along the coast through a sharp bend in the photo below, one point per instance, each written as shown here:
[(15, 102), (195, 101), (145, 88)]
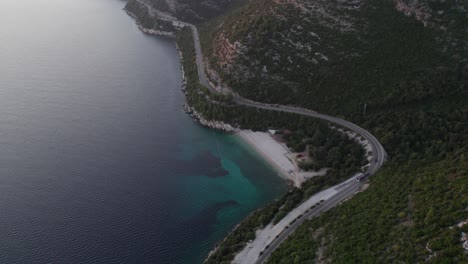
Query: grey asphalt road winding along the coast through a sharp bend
[(344, 190)]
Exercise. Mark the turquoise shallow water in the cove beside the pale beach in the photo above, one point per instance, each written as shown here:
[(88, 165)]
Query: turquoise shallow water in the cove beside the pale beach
[(249, 184)]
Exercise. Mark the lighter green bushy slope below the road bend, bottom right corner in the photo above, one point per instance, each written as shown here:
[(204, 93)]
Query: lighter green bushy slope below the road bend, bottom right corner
[(407, 207)]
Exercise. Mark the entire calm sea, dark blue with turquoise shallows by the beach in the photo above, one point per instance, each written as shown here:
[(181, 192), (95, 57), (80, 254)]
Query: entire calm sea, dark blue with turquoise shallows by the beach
[(98, 162)]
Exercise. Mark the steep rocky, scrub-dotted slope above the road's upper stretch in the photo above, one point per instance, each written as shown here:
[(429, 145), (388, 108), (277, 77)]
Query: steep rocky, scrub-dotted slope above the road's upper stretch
[(308, 52)]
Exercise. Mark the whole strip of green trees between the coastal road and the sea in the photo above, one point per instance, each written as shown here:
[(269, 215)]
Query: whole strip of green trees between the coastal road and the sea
[(345, 159)]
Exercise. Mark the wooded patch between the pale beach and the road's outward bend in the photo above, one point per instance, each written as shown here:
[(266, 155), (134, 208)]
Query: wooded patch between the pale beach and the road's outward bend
[(327, 147)]
